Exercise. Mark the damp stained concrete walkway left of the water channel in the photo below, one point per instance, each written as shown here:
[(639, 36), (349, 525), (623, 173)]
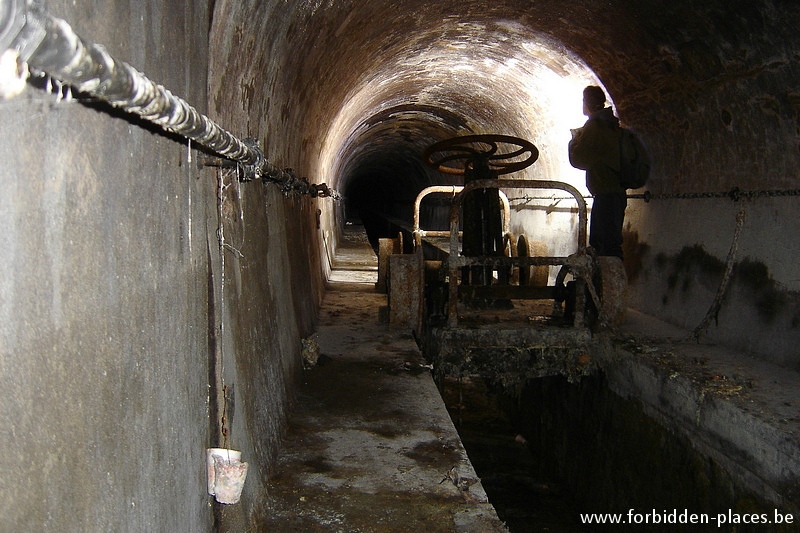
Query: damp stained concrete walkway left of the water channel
[(370, 445)]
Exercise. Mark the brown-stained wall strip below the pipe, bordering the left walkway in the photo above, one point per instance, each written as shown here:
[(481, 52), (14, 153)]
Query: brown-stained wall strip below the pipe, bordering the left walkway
[(263, 306)]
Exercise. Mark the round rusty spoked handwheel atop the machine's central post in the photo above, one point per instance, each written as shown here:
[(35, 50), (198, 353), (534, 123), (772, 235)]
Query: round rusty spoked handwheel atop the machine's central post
[(456, 155)]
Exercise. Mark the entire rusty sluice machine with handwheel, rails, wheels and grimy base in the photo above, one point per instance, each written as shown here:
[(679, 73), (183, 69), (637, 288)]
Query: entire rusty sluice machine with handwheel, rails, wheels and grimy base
[(484, 301)]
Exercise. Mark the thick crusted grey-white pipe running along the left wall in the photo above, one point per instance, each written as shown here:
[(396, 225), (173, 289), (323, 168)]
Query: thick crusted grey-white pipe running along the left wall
[(35, 45)]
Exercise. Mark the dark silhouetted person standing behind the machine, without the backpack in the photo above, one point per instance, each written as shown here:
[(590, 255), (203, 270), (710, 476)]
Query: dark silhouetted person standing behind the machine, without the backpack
[(595, 149)]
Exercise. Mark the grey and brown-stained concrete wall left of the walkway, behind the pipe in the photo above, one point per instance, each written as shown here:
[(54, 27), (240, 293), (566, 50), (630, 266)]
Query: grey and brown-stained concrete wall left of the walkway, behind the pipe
[(119, 334)]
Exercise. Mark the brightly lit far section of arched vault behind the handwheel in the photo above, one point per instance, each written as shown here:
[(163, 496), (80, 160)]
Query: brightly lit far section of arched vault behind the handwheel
[(454, 79)]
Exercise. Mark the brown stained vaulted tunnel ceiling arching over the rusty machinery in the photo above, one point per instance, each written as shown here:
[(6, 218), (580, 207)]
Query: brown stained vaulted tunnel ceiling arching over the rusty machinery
[(367, 85)]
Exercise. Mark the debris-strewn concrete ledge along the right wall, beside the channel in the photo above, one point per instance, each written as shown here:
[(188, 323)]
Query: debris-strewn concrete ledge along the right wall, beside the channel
[(742, 412)]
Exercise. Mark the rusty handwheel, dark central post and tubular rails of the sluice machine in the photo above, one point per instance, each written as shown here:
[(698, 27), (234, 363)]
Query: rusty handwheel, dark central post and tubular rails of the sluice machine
[(485, 246)]
